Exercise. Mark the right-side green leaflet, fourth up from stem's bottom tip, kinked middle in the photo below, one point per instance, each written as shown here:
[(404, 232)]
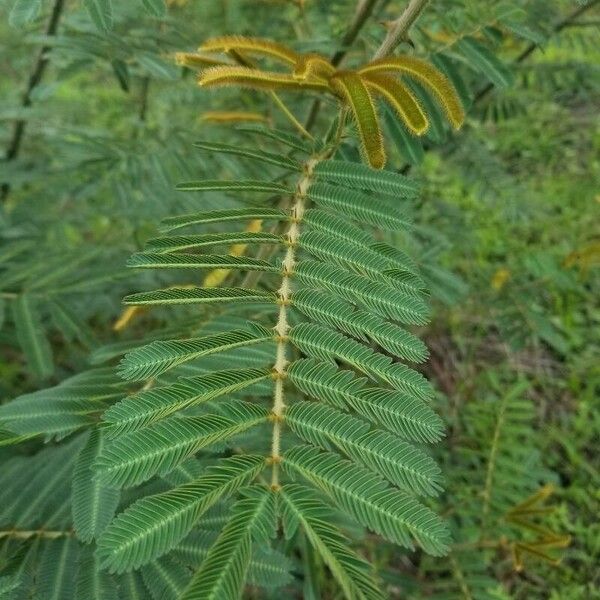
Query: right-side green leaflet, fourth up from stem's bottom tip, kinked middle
[(405, 416)]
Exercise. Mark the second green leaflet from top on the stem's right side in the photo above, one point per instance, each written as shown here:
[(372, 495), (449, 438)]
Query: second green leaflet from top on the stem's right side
[(360, 206)]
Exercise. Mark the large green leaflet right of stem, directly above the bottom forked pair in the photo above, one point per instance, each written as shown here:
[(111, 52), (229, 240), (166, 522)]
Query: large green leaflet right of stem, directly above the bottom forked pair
[(392, 514)]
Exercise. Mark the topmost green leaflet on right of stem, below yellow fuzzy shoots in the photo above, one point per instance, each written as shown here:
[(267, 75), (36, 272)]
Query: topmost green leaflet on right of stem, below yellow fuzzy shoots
[(355, 175)]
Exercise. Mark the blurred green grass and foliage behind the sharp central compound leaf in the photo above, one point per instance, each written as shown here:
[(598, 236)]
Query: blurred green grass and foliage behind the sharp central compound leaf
[(507, 228)]
